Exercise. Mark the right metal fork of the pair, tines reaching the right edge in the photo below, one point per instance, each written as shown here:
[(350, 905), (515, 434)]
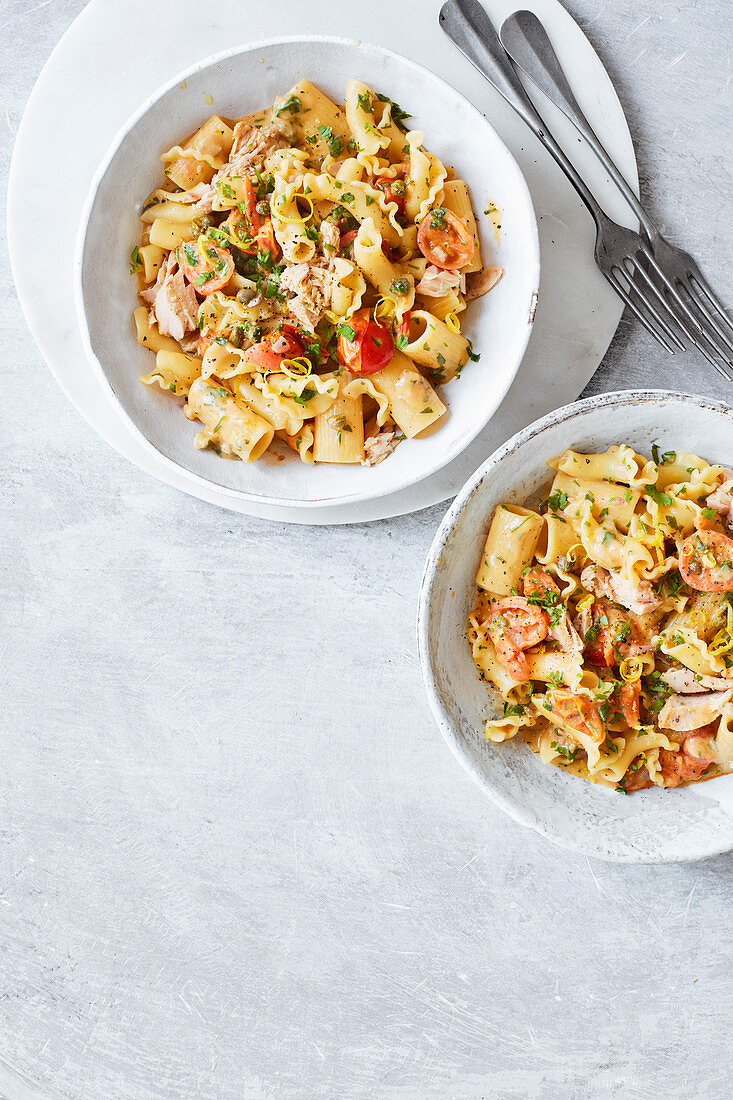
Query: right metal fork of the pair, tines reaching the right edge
[(702, 316)]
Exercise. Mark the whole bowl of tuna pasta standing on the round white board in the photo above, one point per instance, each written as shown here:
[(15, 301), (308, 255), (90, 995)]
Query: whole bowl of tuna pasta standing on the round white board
[(304, 274)]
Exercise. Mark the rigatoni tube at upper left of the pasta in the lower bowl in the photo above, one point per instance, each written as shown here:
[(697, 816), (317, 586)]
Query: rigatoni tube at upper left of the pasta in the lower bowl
[(510, 547)]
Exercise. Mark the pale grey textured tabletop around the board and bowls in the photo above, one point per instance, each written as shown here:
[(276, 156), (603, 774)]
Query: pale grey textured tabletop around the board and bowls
[(236, 859)]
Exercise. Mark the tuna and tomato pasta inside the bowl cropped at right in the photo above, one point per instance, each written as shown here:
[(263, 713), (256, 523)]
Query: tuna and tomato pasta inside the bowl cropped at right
[(605, 620)]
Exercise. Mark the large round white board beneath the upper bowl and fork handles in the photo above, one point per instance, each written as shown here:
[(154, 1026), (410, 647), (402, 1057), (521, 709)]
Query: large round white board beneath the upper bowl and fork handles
[(97, 76)]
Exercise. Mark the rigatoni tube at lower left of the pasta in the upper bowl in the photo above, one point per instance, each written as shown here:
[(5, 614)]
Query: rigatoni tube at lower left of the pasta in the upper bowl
[(229, 425)]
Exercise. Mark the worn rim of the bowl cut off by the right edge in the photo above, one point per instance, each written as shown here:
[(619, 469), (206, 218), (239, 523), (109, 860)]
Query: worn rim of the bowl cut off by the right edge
[(451, 733)]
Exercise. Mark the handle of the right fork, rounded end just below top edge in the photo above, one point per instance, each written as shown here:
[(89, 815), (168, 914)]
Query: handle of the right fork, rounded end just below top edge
[(526, 40)]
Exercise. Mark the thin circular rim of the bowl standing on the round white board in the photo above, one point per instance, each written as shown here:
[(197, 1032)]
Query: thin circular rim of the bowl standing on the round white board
[(192, 71)]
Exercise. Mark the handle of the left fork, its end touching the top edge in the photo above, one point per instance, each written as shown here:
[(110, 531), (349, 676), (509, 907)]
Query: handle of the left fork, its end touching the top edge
[(469, 28)]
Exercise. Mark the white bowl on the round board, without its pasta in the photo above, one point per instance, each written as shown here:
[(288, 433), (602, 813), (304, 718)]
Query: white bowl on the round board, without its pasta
[(234, 84)]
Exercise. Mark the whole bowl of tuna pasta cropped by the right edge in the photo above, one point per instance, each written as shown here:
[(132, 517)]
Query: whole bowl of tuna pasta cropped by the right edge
[(584, 623)]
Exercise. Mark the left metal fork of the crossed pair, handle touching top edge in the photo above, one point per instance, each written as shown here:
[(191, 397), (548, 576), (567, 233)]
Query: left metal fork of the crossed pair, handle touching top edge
[(620, 254)]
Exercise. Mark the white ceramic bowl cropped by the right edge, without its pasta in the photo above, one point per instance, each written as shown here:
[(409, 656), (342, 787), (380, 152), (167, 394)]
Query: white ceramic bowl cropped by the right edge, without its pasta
[(648, 827)]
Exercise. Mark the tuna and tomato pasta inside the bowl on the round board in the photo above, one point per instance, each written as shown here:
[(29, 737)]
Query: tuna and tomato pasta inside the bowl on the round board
[(303, 272)]
